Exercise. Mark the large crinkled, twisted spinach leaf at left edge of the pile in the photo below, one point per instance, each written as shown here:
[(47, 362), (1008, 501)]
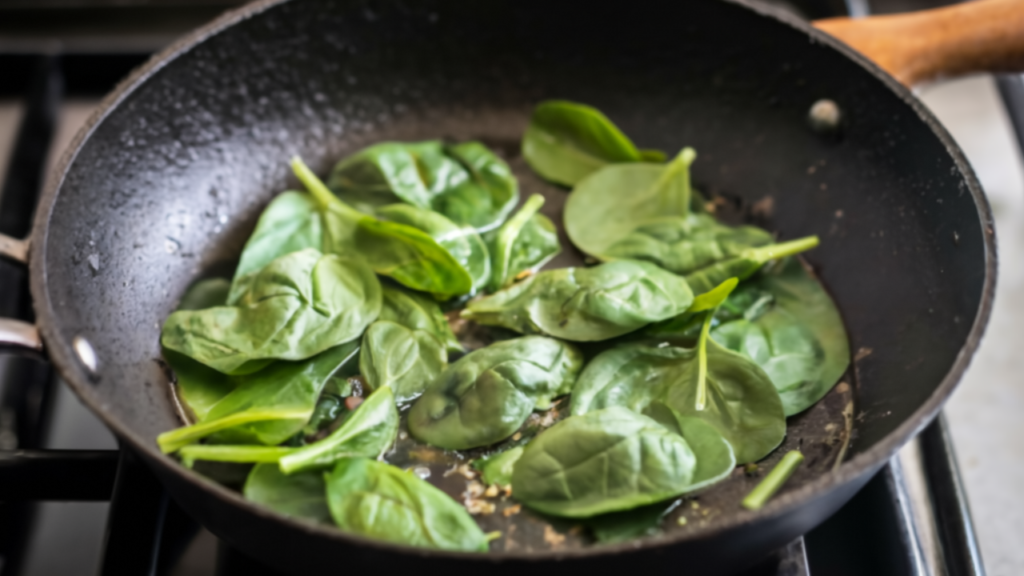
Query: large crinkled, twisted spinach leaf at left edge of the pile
[(297, 307)]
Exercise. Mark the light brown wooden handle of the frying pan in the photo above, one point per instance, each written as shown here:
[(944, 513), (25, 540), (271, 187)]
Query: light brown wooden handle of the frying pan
[(978, 36)]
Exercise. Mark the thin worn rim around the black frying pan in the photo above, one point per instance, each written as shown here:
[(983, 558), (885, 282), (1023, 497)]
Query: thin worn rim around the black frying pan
[(61, 350)]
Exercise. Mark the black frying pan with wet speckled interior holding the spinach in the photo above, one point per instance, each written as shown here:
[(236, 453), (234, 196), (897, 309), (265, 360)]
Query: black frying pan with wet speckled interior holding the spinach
[(167, 180)]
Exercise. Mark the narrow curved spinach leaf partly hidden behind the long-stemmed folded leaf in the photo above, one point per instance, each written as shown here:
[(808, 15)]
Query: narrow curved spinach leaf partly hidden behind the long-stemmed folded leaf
[(464, 243)]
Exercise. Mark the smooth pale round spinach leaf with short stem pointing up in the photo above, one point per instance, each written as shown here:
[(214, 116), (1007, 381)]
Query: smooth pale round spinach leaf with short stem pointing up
[(614, 202)]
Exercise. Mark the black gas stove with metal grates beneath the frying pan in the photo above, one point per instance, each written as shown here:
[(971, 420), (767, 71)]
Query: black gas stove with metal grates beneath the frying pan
[(73, 503)]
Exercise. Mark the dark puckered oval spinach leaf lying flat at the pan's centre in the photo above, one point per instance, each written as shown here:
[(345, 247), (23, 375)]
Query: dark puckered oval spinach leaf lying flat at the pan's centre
[(487, 395)]
